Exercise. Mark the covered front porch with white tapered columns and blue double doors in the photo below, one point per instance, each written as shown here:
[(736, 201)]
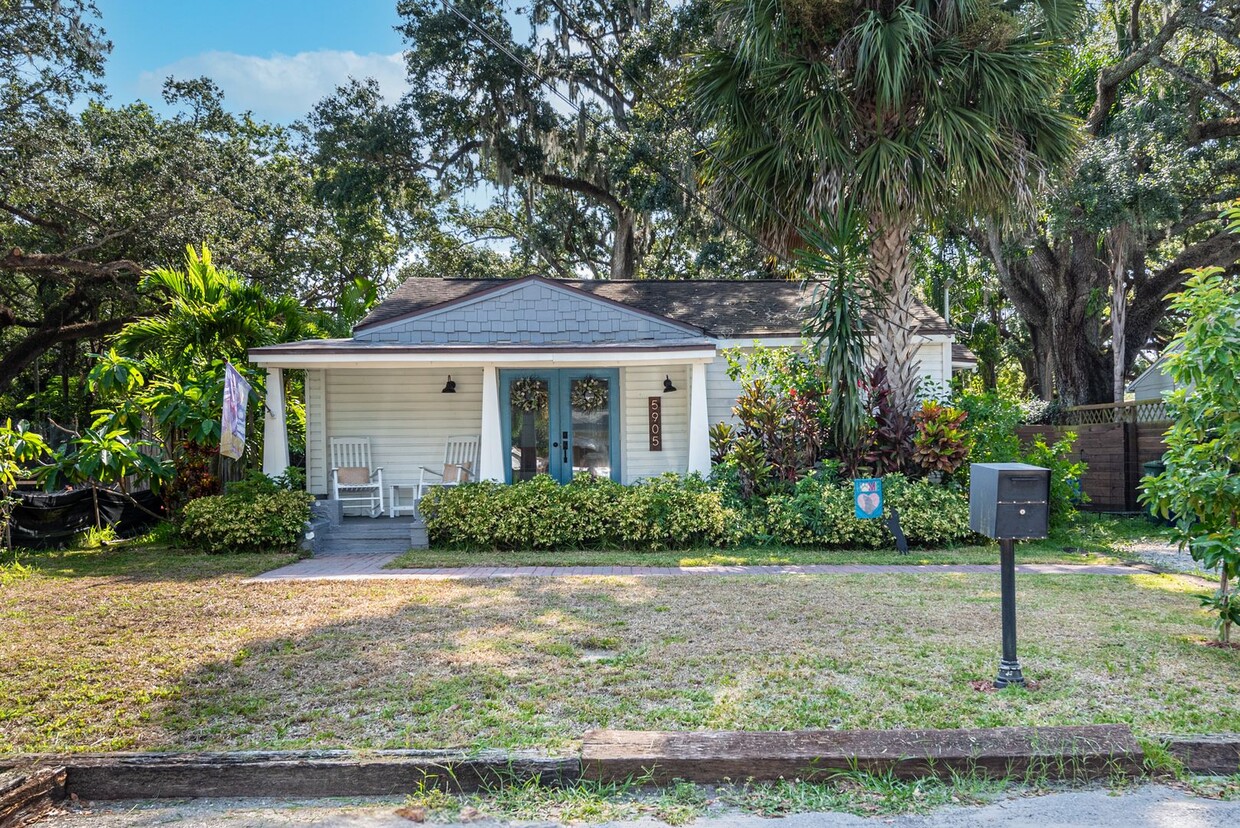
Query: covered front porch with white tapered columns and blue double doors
[(621, 412)]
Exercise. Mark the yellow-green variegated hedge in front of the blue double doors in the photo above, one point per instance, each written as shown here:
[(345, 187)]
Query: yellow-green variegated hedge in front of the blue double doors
[(666, 513)]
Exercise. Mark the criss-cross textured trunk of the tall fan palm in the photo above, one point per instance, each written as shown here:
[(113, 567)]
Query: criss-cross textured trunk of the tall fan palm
[(895, 324)]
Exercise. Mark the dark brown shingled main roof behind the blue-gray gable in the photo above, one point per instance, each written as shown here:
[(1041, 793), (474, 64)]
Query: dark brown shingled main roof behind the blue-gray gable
[(721, 309)]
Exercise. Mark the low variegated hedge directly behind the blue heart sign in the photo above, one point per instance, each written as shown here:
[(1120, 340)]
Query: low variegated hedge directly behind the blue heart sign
[(820, 514)]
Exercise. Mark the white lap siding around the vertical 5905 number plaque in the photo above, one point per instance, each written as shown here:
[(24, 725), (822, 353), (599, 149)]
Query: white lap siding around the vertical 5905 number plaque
[(640, 384)]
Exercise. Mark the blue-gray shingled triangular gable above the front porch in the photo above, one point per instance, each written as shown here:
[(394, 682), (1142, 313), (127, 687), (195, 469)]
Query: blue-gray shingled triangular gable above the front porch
[(528, 312)]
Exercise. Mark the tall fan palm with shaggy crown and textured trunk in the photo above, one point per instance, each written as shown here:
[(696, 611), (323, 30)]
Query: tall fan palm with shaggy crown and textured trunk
[(905, 111)]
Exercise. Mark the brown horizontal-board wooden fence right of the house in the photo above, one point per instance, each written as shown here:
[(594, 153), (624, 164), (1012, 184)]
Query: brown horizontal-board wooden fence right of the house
[(1114, 441)]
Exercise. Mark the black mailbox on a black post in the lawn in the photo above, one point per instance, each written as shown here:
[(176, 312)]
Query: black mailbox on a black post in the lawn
[(1009, 501)]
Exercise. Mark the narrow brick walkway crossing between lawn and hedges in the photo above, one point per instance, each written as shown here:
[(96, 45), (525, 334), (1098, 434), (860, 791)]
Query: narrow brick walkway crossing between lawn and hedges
[(363, 567)]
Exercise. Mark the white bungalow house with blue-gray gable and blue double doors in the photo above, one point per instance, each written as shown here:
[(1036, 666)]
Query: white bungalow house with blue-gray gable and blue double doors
[(622, 379)]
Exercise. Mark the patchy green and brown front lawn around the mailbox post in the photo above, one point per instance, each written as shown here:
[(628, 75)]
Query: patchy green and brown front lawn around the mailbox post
[(144, 649)]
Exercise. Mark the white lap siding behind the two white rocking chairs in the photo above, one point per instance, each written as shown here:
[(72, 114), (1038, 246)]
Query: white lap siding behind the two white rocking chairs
[(405, 413)]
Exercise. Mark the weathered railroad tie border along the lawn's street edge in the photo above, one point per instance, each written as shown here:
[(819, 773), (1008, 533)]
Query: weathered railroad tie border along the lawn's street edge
[(30, 784)]
